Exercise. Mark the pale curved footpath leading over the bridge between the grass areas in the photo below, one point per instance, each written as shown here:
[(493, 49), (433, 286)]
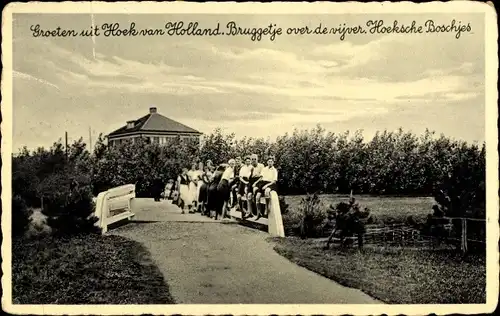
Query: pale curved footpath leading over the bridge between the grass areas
[(209, 262)]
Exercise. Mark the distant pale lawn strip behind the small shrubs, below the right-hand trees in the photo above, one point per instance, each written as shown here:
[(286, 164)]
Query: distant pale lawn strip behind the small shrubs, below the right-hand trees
[(385, 209)]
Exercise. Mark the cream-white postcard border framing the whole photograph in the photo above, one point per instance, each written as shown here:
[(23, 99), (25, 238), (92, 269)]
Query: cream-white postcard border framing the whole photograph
[(491, 34)]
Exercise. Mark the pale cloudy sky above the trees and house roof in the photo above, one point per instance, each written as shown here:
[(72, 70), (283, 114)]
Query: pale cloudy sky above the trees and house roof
[(261, 88)]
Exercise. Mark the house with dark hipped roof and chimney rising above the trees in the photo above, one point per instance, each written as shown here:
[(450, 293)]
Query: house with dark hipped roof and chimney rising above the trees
[(155, 127)]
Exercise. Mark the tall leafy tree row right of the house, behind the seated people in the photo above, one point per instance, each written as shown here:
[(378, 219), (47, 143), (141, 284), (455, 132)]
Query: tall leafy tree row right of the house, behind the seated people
[(391, 163)]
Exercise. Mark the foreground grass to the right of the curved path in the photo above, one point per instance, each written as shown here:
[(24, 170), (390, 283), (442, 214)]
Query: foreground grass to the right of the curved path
[(396, 276)]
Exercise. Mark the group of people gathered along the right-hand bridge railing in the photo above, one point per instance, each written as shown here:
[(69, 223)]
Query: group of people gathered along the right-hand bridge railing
[(212, 190)]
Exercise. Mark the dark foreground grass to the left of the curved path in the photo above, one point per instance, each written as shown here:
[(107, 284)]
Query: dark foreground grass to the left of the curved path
[(85, 270)]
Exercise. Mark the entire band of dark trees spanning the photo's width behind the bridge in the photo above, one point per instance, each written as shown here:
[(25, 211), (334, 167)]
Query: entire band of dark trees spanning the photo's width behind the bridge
[(308, 161)]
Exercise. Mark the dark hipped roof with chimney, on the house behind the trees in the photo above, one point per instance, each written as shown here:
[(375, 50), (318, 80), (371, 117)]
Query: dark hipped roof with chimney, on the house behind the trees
[(154, 122)]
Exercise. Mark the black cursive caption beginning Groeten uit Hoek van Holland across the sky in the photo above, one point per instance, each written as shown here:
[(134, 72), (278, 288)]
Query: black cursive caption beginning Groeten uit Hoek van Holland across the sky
[(271, 31)]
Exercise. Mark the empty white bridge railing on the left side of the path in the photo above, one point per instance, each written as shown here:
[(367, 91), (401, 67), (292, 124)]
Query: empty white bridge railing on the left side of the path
[(114, 205)]
